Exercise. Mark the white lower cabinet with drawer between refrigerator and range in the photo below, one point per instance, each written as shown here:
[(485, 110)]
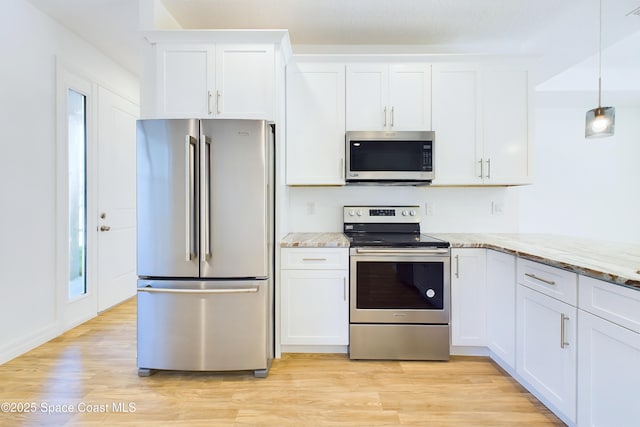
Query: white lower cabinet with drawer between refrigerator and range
[(314, 298)]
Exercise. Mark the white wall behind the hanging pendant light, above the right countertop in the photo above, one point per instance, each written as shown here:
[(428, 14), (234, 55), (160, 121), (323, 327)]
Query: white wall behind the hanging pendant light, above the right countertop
[(586, 188)]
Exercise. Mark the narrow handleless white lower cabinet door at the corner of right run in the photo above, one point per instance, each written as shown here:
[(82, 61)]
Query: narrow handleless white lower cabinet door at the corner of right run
[(501, 306)]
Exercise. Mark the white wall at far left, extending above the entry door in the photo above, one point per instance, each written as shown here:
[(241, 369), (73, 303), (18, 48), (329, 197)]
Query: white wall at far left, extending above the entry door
[(30, 44)]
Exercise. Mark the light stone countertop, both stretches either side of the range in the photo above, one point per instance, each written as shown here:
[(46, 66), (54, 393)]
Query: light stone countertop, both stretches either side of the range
[(609, 261)]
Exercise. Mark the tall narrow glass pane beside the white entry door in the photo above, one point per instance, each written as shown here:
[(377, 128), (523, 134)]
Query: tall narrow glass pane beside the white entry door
[(77, 139)]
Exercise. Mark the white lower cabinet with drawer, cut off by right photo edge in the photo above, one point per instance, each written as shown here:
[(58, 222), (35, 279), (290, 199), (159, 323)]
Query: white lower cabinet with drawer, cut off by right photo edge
[(608, 354)]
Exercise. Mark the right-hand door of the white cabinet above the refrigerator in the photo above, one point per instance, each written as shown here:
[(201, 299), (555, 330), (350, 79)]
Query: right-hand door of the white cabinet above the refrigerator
[(245, 81)]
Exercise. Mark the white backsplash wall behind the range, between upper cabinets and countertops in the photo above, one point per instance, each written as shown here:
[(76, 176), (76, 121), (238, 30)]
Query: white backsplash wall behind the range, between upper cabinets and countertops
[(451, 209)]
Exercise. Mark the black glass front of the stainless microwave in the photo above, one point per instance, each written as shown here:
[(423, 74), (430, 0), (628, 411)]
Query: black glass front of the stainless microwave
[(391, 156)]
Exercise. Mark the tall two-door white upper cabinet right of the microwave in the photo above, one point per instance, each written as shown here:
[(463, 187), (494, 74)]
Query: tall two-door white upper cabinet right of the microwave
[(481, 121)]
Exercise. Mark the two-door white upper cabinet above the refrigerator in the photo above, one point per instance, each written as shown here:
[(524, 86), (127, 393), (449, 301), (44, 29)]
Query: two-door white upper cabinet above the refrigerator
[(215, 81)]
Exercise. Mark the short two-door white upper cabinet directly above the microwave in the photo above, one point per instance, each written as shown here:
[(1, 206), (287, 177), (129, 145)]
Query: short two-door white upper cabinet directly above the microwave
[(388, 97)]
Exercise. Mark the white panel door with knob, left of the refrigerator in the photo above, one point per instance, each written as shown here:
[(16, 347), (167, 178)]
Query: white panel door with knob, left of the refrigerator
[(116, 199)]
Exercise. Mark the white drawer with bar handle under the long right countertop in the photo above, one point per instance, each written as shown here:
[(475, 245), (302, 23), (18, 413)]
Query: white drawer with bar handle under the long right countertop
[(552, 281)]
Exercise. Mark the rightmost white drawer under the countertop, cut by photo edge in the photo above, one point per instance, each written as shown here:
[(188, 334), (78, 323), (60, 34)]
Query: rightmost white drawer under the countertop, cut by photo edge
[(613, 302)]
